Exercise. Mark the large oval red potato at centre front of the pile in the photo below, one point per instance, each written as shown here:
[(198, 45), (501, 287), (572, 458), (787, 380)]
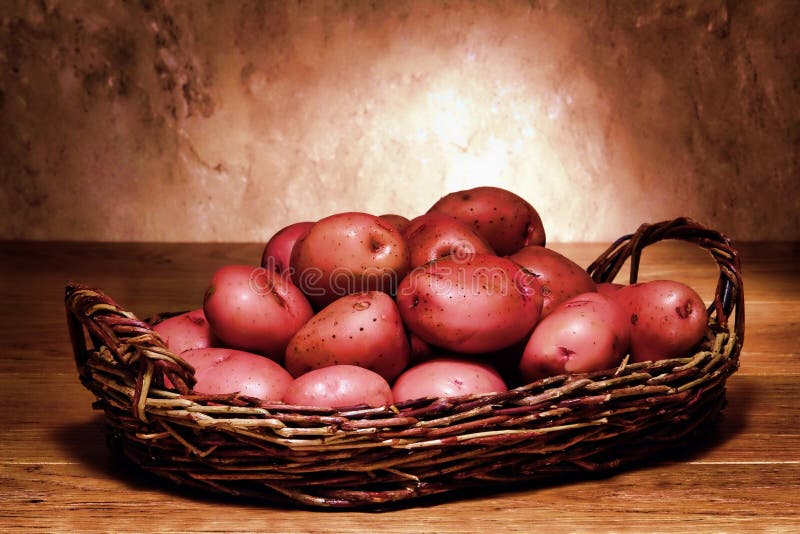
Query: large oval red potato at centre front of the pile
[(479, 305)]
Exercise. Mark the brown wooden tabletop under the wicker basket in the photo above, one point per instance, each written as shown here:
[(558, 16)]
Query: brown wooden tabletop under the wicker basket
[(56, 473)]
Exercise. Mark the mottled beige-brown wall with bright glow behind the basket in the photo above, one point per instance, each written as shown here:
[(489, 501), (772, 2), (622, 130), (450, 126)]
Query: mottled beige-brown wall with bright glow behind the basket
[(205, 121)]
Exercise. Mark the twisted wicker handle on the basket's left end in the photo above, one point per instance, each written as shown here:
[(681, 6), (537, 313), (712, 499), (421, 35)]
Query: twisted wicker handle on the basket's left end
[(96, 322)]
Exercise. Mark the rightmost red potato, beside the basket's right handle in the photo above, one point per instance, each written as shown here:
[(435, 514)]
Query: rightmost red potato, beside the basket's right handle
[(668, 319)]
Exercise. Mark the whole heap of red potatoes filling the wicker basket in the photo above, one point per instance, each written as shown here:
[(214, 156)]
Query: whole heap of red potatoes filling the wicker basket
[(357, 309)]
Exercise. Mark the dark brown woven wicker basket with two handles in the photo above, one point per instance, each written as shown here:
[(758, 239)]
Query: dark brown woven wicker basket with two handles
[(367, 457)]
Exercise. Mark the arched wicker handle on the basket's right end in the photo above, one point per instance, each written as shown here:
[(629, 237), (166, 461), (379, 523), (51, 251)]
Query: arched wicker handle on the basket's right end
[(729, 294)]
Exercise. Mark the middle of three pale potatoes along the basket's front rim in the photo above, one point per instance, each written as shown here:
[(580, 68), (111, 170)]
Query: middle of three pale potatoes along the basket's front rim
[(339, 386)]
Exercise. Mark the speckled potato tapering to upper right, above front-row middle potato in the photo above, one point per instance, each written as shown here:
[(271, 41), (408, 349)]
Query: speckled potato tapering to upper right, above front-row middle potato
[(361, 329)]
